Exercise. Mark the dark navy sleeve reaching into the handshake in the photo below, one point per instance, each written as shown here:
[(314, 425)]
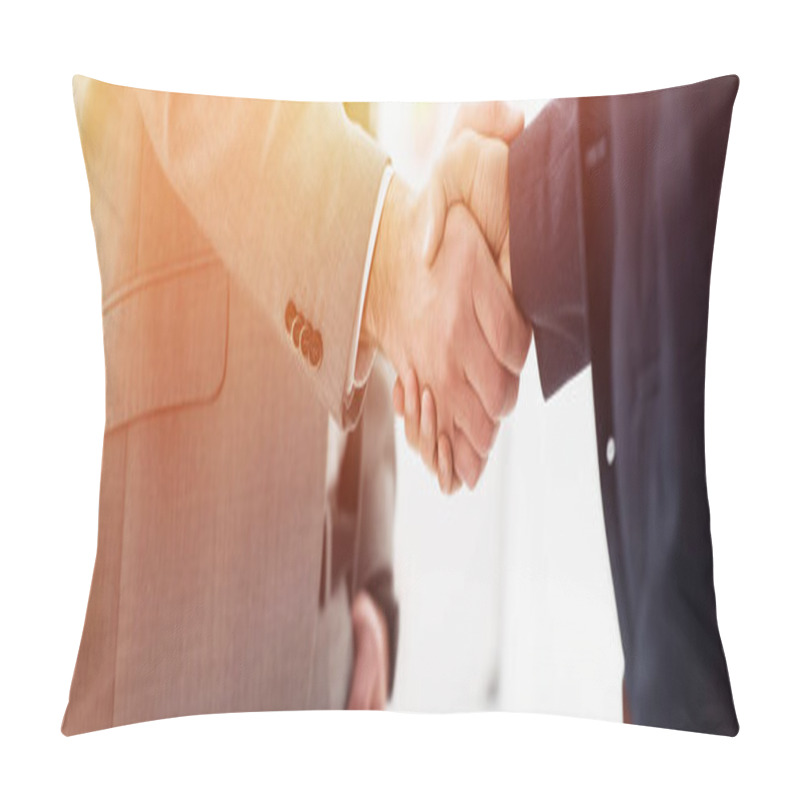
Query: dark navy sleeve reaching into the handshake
[(546, 241)]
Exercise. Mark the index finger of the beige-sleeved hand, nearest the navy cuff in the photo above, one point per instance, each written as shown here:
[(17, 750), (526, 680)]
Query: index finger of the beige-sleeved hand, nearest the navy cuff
[(507, 332)]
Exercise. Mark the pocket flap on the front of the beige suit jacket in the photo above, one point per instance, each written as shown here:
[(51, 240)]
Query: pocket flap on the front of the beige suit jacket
[(166, 343)]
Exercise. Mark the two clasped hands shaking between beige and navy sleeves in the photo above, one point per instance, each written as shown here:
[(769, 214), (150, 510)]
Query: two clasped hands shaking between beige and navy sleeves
[(439, 302)]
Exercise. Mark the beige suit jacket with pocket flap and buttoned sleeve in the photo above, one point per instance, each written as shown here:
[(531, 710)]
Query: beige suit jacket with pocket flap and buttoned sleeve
[(232, 237)]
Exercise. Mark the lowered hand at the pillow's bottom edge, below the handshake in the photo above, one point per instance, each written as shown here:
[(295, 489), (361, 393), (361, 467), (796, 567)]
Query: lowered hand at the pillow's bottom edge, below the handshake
[(369, 687)]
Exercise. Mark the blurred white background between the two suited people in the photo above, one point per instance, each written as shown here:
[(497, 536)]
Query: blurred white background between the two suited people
[(506, 599)]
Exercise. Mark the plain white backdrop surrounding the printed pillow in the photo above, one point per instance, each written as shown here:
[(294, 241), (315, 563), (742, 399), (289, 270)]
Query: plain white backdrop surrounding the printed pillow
[(51, 412)]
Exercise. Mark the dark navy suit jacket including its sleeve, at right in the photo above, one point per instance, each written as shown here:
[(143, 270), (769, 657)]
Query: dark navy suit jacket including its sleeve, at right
[(613, 208)]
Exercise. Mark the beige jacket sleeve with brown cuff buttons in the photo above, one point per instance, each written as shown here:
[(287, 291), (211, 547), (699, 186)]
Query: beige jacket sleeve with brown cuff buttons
[(286, 193)]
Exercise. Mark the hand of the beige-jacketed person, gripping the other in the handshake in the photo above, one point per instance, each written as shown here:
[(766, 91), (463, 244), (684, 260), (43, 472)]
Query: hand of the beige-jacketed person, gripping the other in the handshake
[(455, 325)]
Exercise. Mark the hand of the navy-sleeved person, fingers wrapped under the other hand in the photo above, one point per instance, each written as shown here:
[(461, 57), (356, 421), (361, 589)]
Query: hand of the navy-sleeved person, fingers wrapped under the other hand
[(476, 176)]
